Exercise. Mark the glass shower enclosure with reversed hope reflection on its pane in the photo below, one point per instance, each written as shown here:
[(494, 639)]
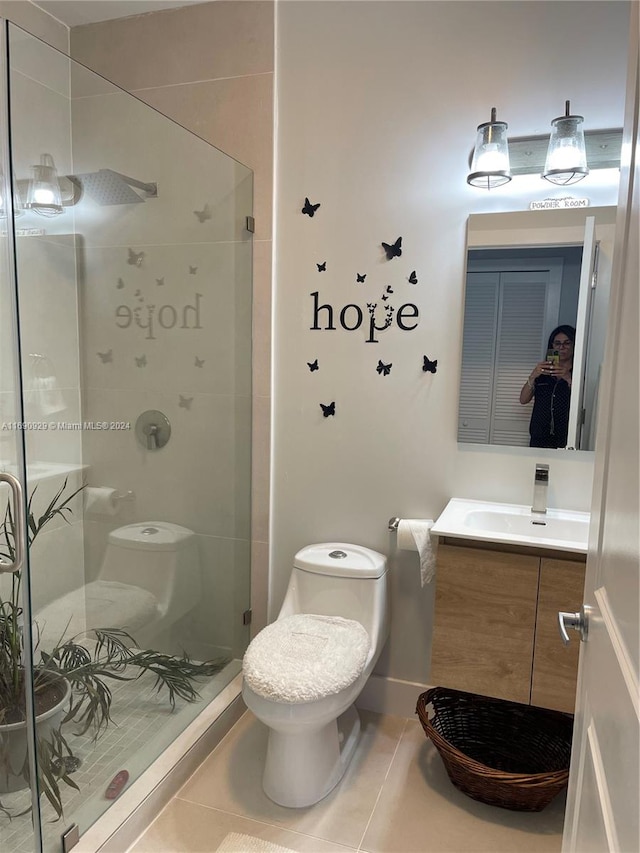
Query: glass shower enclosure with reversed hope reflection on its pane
[(125, 323)]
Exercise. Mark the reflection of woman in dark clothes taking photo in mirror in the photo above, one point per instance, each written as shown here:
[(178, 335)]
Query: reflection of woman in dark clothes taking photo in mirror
[(549, 386)]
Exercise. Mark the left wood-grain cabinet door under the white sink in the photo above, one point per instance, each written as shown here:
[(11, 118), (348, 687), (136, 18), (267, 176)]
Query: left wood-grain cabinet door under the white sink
[(484, 622)]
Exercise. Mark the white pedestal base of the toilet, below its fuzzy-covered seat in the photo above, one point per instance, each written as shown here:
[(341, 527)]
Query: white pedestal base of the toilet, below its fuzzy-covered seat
[(302, 768)]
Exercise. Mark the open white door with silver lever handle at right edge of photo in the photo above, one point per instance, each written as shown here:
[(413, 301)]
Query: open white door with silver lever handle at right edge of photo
[(603, 797)]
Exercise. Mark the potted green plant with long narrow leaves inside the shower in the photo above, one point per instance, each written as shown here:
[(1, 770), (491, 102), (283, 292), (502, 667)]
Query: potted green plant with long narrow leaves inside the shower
[(85, 665)]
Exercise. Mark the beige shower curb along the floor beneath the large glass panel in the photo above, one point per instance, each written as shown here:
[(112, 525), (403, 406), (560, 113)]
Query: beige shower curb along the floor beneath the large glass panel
[(138, 806)]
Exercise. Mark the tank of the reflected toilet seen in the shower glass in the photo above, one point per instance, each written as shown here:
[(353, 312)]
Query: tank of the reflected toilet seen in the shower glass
[(158, 556)]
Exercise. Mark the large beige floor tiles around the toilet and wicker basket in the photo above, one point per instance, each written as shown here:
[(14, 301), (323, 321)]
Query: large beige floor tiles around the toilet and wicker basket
[(394, 798)]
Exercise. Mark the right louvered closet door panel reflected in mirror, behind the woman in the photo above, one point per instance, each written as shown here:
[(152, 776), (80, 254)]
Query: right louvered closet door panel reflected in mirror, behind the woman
[(521, 331)]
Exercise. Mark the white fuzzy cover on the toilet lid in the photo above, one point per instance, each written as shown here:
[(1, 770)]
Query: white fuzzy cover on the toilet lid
[(305, 657)]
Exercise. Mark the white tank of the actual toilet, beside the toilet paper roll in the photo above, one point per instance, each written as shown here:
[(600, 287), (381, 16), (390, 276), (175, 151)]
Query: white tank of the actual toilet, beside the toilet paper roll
[(339, 579)]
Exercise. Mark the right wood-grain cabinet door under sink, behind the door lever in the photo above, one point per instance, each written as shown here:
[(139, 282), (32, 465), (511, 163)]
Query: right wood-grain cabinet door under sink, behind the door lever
[(555, 666)]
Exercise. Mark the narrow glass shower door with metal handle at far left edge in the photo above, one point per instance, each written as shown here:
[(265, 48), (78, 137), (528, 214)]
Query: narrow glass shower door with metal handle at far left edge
[(17, 722)]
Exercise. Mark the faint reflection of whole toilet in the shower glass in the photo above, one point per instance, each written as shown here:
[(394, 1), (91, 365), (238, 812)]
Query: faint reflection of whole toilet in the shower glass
[(149, 578)]
